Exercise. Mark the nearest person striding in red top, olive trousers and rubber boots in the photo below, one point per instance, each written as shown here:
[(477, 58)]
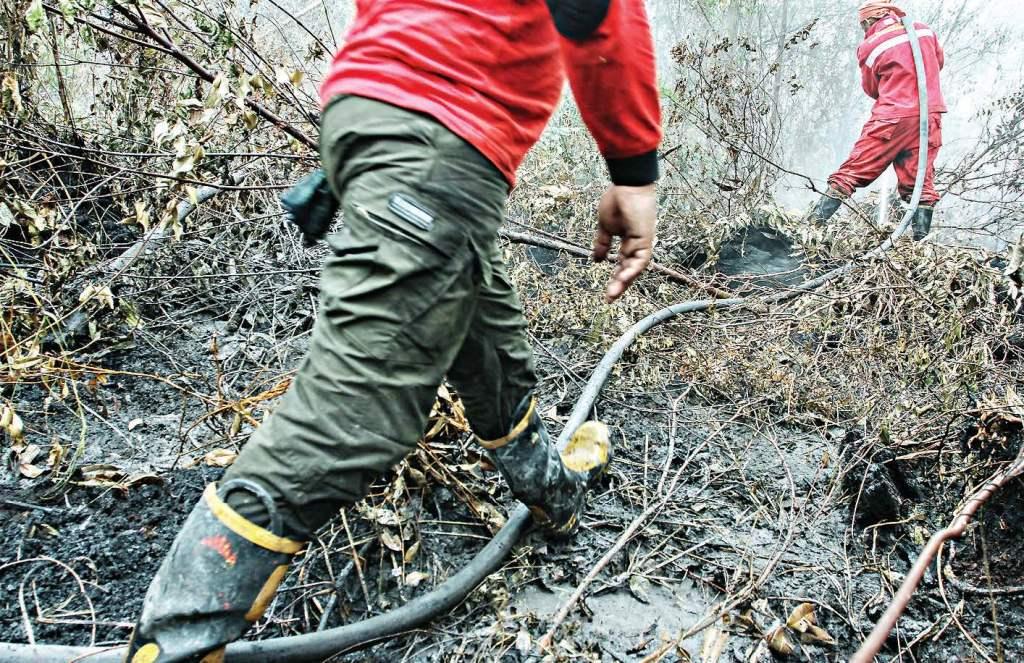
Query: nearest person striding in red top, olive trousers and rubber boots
[(430, 108)]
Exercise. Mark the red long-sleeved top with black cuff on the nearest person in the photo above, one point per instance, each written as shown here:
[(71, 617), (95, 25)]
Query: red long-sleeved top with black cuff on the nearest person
[(494, 72)]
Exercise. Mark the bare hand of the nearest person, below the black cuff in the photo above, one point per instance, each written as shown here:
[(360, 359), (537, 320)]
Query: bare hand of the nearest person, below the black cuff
[(631, 215)]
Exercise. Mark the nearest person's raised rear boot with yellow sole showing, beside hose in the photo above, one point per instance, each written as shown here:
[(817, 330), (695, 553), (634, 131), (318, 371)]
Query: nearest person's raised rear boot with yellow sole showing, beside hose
[(553, 485)]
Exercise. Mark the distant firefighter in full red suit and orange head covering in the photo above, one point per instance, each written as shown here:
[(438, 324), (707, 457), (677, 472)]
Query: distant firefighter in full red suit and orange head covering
[(892, 135)]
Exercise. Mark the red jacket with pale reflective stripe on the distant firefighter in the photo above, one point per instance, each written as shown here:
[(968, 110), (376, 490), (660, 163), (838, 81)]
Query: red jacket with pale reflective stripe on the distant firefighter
[(888, 71)]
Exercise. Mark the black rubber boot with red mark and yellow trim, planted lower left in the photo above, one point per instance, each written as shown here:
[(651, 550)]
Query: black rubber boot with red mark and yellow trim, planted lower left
[(217, 582)]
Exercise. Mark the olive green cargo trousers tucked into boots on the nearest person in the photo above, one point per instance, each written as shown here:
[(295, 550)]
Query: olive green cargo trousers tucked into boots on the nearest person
[(414, 289)]
